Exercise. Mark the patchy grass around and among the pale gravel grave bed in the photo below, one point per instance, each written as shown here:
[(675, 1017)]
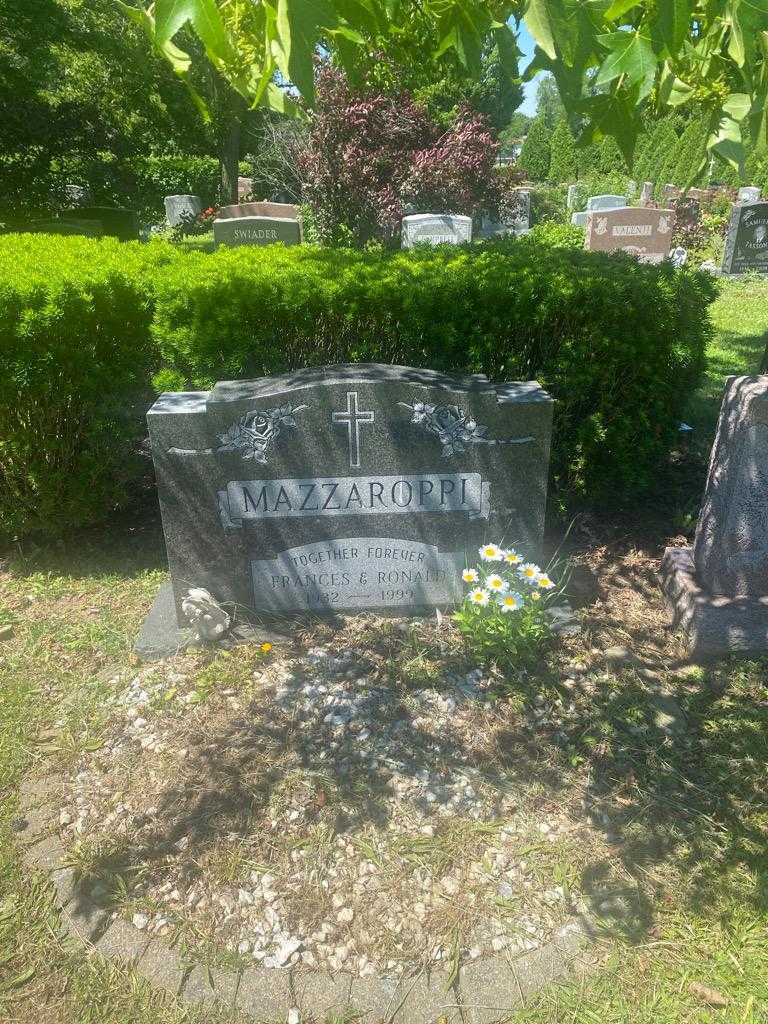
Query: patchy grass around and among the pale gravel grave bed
[(650, 773)]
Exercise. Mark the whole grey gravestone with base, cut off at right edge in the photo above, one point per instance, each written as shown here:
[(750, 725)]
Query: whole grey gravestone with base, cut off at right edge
[(718, 589)]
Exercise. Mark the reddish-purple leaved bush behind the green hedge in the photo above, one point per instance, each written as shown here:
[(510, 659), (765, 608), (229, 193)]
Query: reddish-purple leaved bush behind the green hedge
[(372, 158)]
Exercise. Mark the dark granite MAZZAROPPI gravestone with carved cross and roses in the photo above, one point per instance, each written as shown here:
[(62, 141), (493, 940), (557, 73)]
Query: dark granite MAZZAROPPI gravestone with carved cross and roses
[(347, 488)]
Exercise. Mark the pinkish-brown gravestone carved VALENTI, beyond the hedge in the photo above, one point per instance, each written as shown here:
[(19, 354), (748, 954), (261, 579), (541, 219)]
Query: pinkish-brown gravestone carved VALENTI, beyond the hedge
[(645, 233)]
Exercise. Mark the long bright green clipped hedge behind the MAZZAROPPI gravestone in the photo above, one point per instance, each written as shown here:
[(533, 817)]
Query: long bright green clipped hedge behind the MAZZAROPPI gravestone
[(88, 325)]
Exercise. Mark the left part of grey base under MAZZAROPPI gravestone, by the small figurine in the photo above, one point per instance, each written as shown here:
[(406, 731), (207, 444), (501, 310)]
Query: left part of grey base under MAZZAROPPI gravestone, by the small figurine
[(161, 636)]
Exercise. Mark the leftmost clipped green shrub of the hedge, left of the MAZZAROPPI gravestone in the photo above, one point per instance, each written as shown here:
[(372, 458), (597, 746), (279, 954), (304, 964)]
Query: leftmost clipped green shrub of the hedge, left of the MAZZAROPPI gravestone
[(76, 356)]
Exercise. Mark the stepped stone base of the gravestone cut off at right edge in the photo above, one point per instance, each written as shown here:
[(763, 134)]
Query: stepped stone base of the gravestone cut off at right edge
[(715, 625)]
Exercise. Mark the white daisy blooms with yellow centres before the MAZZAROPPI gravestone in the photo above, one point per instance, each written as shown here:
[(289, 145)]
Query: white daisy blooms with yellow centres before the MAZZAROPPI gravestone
[(502, 571)]
